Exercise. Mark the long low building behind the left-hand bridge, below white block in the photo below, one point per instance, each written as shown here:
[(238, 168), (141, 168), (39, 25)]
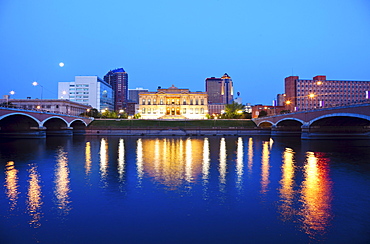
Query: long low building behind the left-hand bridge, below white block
[(50, 105)]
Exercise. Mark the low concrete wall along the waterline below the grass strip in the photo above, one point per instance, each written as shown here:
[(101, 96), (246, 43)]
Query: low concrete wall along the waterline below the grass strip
[(176, 131)]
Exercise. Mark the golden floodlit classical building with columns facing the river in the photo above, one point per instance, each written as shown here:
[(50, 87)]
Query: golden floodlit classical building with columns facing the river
[(173, 103)]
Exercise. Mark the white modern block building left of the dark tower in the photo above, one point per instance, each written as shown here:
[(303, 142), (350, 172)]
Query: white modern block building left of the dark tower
[(87, 90)]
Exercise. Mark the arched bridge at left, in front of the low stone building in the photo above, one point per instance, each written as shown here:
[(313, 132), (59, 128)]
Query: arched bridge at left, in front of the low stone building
[(37, 124)]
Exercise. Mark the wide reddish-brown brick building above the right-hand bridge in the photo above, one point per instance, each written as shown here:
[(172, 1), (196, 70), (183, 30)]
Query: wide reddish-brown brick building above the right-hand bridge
[(303, 94)]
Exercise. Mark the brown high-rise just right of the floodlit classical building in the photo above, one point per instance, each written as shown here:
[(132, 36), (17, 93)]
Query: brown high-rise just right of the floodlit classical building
[(220, 92)]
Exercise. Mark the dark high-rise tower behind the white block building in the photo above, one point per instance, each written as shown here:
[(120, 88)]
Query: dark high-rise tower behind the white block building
[(118, 79)]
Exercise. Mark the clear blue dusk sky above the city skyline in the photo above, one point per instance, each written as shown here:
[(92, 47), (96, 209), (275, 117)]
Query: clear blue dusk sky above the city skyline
[(165, 42)]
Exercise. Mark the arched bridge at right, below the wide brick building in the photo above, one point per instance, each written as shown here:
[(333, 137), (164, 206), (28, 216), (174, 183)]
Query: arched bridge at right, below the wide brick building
[(351, 121)]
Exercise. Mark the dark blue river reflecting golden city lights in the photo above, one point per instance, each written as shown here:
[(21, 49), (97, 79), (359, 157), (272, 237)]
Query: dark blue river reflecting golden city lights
[(184, 190)]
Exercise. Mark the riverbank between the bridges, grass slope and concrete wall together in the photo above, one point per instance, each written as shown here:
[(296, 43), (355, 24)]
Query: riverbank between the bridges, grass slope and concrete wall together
[(175, 128)]
